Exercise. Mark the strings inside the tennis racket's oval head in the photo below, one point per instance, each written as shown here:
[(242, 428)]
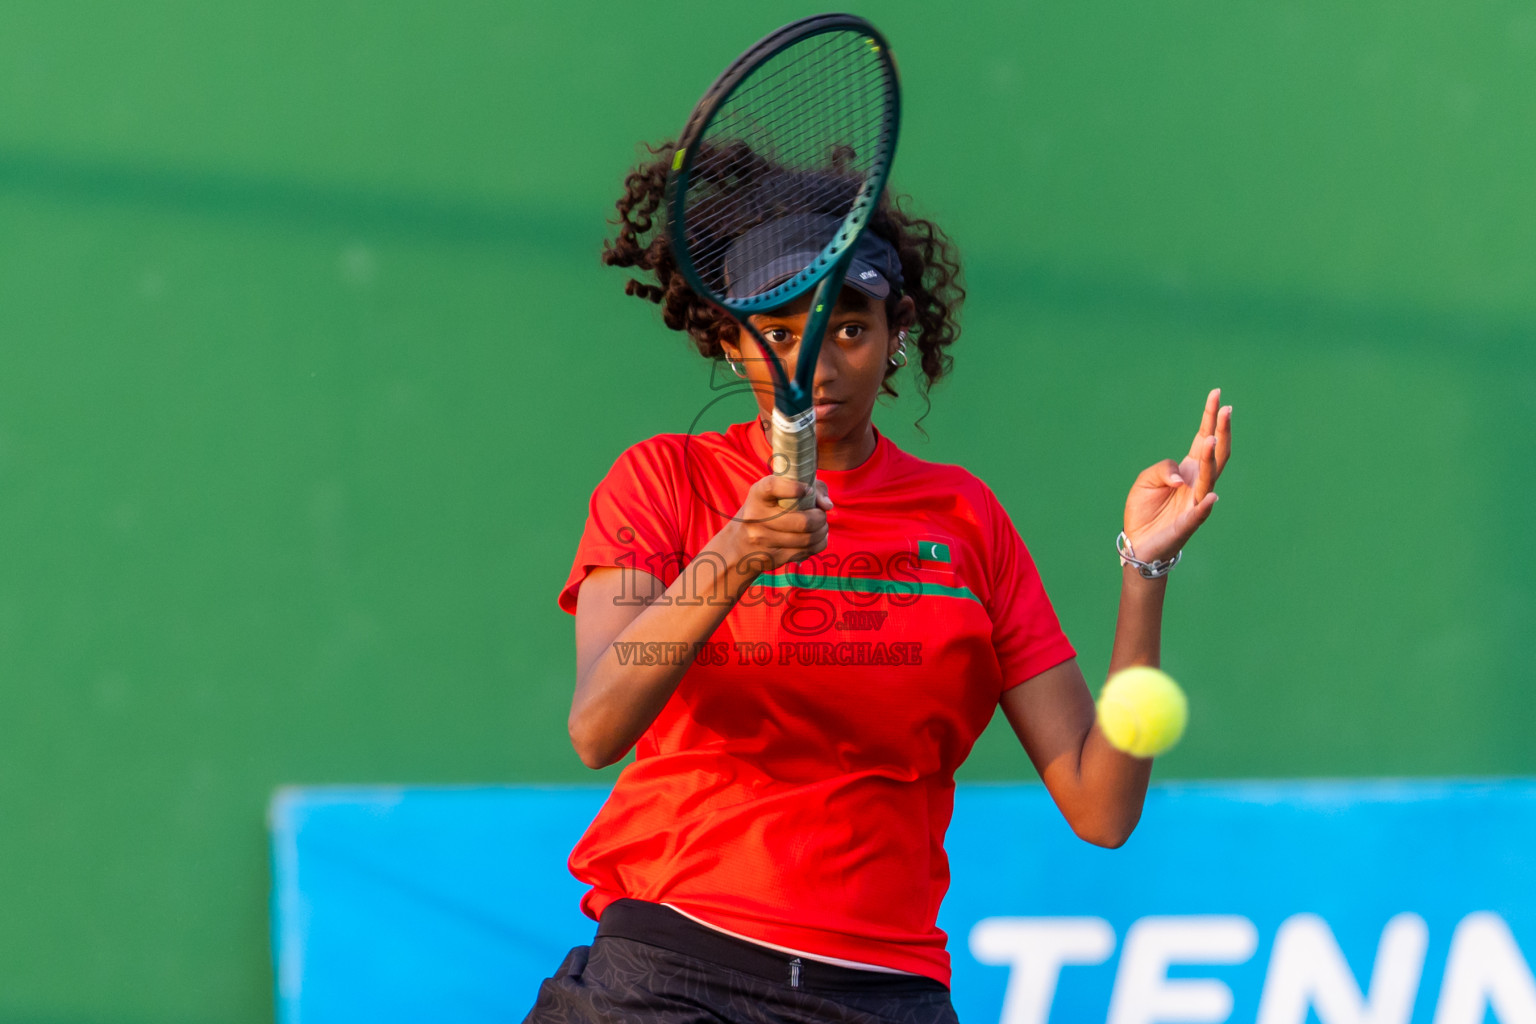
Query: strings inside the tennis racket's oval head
[(804, 133)]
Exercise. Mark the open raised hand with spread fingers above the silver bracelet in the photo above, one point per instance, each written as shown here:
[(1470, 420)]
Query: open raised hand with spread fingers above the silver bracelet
[(1171, 500)]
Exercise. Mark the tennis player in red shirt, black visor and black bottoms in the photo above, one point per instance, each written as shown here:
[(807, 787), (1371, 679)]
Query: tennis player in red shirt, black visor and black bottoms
[(801, 687)]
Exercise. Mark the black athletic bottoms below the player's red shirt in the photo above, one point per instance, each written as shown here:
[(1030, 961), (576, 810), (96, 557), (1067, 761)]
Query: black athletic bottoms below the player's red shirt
[(650, 963)]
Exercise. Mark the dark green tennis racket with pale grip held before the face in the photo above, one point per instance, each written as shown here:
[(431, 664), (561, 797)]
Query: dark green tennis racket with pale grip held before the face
[(803, 127)]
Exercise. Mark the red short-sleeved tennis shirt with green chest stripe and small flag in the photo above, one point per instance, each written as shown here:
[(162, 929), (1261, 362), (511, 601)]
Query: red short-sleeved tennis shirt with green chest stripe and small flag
[(798, 787)]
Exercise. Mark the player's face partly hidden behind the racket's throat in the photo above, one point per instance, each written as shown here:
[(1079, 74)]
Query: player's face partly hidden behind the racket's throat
[(852, 366)]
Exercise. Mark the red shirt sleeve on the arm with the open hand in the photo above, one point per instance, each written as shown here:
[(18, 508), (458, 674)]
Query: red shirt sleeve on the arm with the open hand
[(1025, 630)]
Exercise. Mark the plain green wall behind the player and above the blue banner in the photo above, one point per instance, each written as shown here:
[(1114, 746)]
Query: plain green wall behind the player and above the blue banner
[(308, 369)]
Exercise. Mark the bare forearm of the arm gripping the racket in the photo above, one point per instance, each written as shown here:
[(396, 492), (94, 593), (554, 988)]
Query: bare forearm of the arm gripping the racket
[(631, 679)]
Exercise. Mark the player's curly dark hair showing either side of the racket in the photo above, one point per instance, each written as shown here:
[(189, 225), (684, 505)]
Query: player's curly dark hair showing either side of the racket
[(930, 266)]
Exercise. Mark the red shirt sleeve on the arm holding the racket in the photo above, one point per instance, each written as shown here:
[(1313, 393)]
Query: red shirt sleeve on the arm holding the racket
[(632, 521)]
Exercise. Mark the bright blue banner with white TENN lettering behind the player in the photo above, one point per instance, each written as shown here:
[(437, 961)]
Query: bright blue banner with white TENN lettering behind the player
[(1280, 903)]
